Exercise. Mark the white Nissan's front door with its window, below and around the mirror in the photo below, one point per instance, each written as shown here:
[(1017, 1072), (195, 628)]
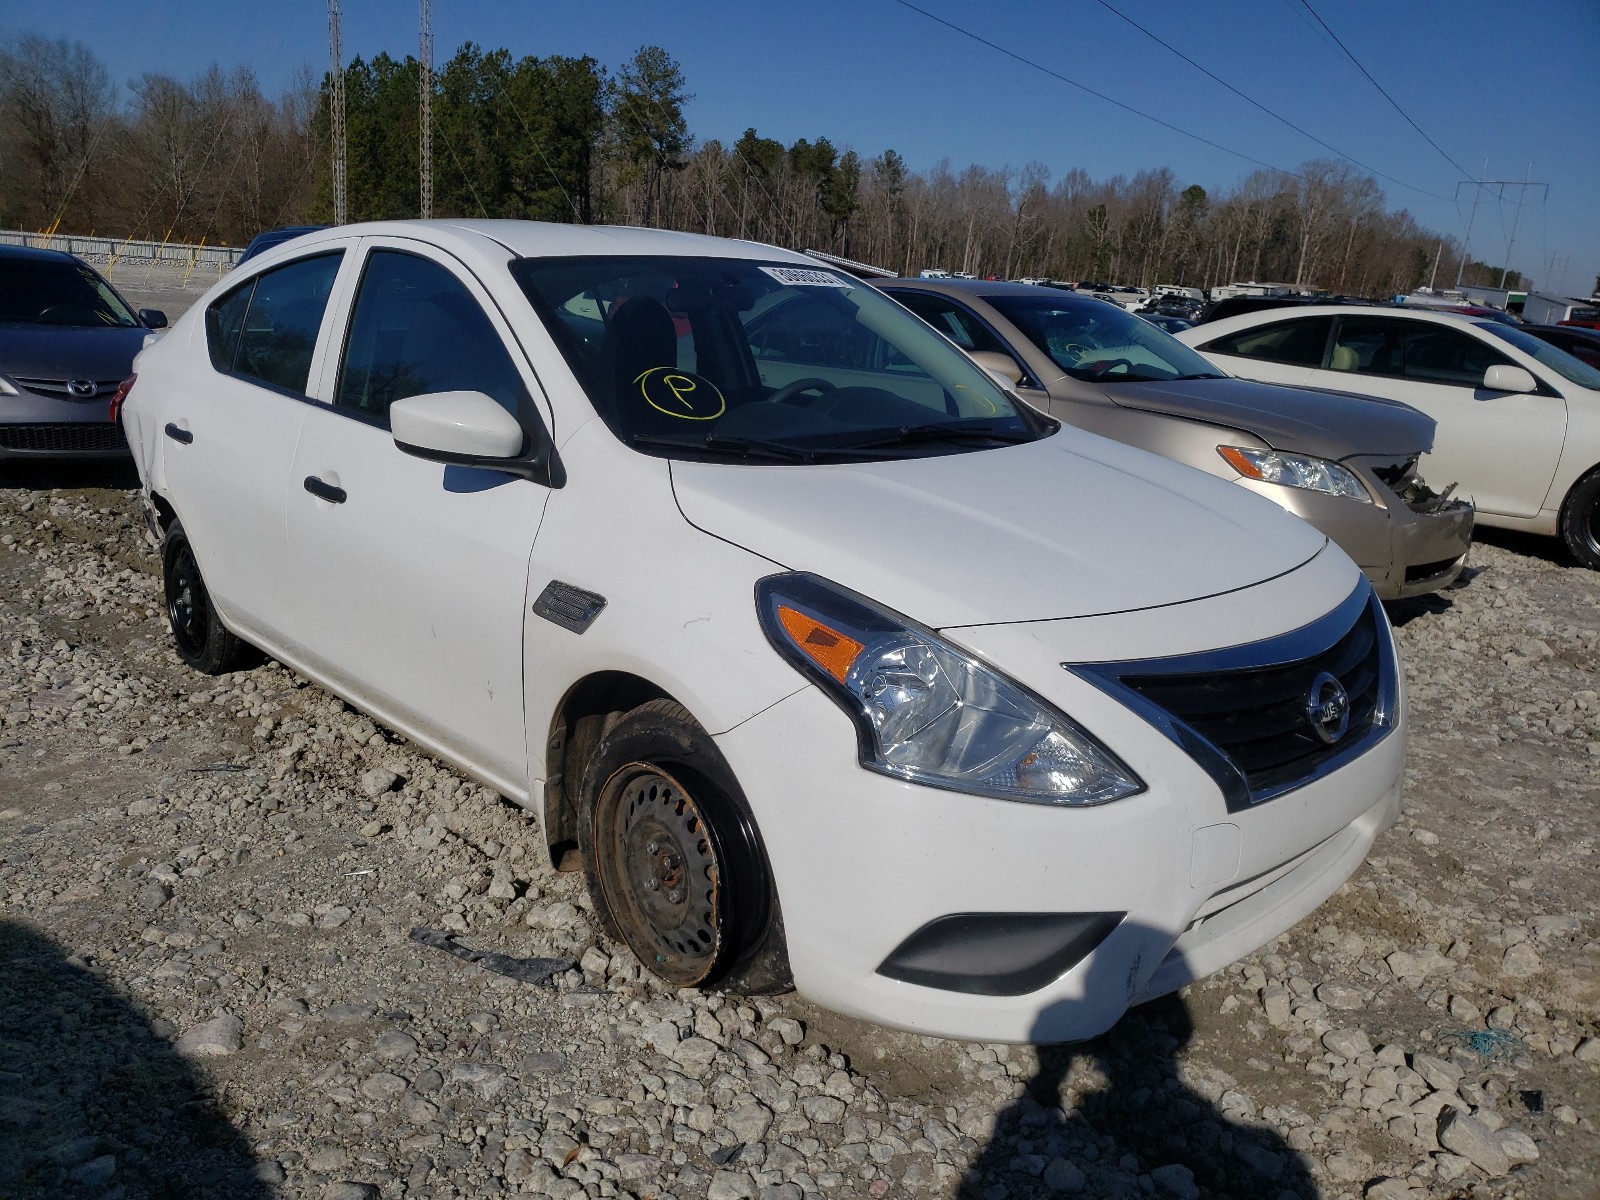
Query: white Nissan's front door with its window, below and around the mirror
[(415, 574)]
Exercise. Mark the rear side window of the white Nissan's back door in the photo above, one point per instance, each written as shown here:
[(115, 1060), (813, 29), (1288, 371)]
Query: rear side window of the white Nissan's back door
[(268, 329)]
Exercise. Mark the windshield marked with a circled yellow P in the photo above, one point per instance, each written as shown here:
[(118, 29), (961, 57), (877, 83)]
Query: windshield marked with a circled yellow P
[(703, 358)]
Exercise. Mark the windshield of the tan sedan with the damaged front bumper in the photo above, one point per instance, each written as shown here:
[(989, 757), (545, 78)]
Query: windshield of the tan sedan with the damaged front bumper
[(1102, 343)]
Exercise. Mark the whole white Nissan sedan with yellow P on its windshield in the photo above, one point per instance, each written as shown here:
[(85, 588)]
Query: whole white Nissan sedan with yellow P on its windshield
[(834, 662)]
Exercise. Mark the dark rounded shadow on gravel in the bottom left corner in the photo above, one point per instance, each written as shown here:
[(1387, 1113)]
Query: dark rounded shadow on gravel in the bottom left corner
[(94, 1103)]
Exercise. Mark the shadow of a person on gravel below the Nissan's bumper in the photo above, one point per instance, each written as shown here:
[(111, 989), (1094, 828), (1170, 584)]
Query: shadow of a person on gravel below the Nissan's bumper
[(1102, 1114)]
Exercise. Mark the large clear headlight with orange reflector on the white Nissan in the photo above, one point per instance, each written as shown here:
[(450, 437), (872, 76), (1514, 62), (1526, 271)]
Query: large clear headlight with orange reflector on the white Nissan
[(927, 711)]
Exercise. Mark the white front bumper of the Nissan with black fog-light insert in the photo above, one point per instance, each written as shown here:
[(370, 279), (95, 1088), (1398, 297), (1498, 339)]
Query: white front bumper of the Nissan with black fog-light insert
[(863, 863)]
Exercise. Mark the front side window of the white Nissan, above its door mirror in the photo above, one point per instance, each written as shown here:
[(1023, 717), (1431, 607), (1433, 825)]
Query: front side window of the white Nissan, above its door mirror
[(417, 329)]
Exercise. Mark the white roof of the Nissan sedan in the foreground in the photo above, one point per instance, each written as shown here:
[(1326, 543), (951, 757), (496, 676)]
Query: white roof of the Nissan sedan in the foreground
[(548, 239)]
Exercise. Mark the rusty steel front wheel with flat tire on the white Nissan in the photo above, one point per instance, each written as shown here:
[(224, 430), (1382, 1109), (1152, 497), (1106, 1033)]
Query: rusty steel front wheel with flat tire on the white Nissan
[(674, 863)]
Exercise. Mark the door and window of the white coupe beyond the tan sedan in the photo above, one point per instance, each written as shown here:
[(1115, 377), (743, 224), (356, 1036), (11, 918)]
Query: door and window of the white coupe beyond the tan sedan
[(1500, 447)]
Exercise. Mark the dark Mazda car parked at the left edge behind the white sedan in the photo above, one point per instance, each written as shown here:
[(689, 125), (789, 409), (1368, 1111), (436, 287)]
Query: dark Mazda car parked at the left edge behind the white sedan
[(66, 343)]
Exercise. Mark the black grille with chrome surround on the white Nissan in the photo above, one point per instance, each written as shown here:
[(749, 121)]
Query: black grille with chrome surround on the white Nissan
[(1244, 714)]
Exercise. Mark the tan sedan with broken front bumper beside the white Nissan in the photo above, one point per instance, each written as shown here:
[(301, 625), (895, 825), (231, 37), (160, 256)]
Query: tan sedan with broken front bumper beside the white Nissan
[(1348, 465)]
